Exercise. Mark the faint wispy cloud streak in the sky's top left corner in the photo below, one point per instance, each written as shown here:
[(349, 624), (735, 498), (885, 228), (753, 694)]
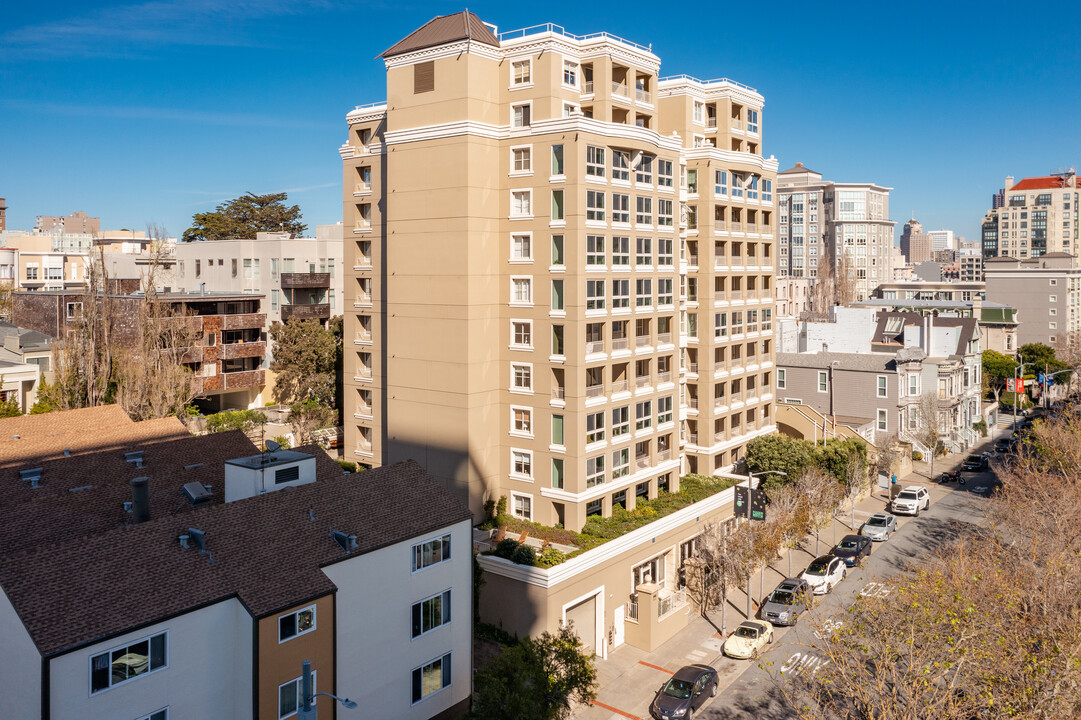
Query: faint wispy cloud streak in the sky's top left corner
[(141, 29)]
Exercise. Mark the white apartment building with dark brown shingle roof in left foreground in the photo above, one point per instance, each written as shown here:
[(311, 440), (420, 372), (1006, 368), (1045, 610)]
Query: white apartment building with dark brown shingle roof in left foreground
[(201, 589)]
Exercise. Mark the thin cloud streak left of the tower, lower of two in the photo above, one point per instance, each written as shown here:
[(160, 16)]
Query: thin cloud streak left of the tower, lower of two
[(166, 114)]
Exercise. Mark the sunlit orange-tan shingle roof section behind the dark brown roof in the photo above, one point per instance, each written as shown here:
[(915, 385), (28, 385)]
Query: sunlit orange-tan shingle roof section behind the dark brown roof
[(33, 451)]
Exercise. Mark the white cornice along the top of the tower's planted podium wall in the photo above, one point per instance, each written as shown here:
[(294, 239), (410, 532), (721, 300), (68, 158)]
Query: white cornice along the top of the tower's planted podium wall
[(548, 578)]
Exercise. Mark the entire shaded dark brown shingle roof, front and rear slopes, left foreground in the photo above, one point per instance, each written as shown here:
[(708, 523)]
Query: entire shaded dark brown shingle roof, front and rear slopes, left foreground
[(77, 571)]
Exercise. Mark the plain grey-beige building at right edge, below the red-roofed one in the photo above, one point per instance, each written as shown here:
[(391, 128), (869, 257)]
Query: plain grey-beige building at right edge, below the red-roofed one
[(1046, 291)]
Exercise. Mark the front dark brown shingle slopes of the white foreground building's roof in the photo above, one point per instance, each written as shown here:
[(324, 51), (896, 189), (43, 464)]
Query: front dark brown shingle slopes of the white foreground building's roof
[(265, 551)]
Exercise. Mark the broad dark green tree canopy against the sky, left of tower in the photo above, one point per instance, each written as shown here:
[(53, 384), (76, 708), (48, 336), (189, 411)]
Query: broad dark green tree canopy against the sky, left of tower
[(245, 217)]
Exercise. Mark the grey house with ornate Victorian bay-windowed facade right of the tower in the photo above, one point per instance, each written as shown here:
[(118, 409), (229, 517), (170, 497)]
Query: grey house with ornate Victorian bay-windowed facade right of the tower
[(877, 393)]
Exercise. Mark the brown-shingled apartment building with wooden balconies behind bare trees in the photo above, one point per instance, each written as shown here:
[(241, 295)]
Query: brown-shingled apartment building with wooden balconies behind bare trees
[(230, 363)]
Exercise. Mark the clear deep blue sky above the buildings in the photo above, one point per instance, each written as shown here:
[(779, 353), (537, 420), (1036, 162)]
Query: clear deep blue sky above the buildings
[(151, 112)]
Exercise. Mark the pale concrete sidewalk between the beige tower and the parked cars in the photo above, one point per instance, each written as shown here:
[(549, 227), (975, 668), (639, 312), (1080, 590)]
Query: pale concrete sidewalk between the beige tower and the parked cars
[(631, 677)]
